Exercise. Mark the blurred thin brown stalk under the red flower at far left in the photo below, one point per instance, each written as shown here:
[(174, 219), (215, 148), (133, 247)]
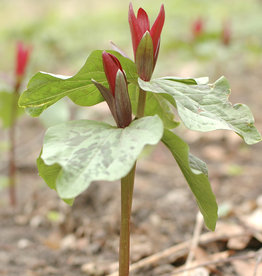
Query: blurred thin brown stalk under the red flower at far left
[(12, 133)]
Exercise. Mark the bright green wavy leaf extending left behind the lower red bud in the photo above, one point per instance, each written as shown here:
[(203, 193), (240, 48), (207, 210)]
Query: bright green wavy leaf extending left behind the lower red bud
[(45, 89)]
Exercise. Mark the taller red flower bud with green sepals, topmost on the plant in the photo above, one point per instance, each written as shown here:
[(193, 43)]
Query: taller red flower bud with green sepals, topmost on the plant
[(140, 27)]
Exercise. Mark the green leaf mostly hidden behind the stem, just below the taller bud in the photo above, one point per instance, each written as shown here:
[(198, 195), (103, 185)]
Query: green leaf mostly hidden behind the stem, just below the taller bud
[(156, 104)]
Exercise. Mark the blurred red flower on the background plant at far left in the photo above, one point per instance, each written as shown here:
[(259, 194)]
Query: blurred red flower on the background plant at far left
[(21, 59)]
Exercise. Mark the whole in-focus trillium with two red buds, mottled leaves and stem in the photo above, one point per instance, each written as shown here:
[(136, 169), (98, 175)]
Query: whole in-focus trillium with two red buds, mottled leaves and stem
[(77, 153)]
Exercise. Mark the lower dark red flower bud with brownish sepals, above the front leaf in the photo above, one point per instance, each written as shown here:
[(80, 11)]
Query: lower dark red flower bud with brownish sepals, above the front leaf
[(117, 96)]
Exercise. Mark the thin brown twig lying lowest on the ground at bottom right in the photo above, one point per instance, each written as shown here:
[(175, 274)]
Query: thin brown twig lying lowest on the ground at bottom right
[(220, 261)]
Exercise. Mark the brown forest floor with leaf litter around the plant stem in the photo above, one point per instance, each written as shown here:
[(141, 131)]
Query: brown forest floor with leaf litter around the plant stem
[(42, 236)]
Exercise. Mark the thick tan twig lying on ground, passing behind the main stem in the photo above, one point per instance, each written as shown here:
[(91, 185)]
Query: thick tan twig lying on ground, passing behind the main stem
[(179, 250)]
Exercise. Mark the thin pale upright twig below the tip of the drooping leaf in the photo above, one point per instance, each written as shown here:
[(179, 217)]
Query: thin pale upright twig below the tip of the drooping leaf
[(195, 240)]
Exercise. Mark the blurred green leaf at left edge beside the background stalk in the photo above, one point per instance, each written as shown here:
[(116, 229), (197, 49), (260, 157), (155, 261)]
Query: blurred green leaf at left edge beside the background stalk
[(6, 106)]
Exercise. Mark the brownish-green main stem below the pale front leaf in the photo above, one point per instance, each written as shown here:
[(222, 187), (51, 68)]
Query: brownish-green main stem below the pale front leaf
[(127, 187)]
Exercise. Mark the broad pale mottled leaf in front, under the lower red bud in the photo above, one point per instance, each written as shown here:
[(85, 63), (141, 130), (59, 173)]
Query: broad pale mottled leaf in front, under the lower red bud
[(79, 152)]
